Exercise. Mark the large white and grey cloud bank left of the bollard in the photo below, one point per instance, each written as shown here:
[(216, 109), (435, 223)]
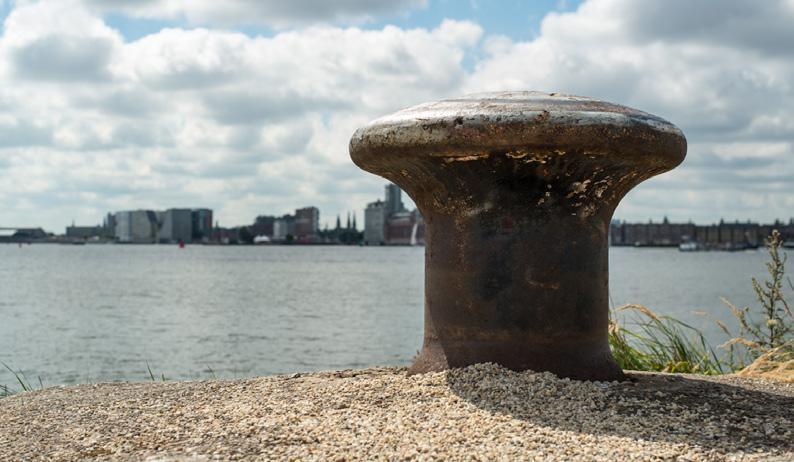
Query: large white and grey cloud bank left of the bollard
[(202, 117)]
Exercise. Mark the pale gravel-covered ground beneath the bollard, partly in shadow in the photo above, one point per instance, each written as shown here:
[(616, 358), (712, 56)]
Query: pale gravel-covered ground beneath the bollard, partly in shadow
[(482, 412)]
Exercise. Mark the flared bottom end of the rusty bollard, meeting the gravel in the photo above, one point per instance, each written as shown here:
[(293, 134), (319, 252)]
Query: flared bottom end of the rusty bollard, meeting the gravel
[(579, 362)]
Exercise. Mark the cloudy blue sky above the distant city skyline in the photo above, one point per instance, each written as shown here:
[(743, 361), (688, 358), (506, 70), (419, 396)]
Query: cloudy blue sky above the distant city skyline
[(247, 106)]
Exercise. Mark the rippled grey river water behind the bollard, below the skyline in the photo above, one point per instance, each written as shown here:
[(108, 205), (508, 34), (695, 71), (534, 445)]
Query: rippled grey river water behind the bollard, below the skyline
[(72, 314)]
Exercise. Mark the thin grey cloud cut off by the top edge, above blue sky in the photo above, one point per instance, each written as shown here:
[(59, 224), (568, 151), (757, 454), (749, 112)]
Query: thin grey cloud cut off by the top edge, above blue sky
[(276, 13)]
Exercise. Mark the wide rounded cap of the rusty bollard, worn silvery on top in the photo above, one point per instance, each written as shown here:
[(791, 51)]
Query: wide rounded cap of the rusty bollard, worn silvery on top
[(523, 125)]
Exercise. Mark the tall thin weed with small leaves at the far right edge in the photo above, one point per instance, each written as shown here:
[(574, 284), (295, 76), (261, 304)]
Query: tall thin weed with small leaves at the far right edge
[(775, 327)]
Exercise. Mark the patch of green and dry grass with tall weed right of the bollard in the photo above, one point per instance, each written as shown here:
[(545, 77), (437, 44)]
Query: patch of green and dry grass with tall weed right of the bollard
[(764, 345)]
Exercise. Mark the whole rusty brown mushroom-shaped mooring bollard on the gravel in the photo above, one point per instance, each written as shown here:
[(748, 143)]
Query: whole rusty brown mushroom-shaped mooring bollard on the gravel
[(517, 191)]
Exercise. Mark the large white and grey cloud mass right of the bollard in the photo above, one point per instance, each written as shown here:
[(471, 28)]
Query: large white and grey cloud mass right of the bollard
[(721, 71)]
